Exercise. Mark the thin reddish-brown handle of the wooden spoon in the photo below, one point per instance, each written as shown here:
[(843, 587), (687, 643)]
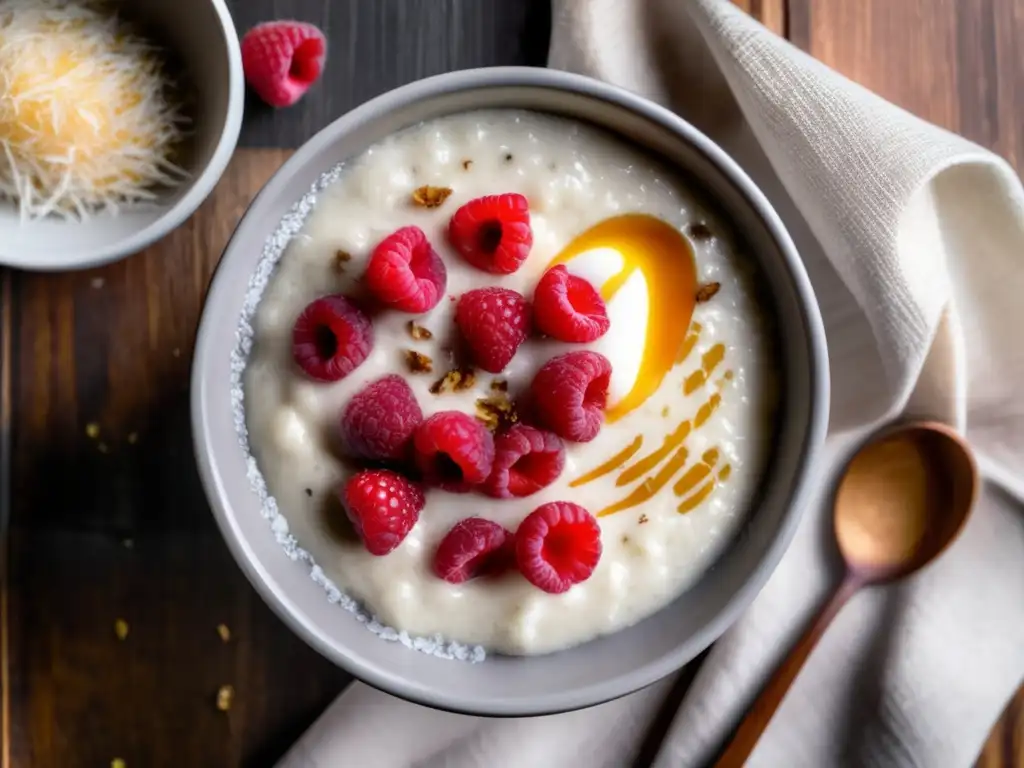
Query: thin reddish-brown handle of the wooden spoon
[(761, 712)]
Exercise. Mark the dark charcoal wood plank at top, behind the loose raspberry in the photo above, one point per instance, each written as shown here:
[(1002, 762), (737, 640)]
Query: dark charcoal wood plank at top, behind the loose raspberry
[(379, 46)]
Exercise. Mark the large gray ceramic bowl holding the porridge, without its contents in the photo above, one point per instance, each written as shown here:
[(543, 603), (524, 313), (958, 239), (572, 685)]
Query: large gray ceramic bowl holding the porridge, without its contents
[(604, 669)]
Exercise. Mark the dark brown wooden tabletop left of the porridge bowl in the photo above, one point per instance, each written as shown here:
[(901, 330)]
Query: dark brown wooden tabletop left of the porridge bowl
[(115, 527)]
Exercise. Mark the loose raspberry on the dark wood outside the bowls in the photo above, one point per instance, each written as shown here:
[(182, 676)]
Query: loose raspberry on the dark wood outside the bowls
[(282, 60)]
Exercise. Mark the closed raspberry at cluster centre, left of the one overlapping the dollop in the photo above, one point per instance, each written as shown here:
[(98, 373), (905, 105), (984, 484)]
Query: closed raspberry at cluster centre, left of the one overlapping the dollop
[(494, 323)]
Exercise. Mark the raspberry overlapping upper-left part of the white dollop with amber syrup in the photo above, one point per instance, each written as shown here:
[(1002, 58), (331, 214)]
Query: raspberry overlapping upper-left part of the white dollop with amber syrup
[(569, 309)]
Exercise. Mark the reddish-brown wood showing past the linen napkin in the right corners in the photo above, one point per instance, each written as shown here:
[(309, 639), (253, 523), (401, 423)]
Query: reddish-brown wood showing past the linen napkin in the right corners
[(959, 64)]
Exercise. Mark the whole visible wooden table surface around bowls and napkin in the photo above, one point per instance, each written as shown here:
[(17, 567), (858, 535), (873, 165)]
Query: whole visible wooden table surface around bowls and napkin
[(101, 508)]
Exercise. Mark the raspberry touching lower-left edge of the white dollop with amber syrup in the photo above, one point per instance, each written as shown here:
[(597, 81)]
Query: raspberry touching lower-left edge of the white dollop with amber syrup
[(570, 393)]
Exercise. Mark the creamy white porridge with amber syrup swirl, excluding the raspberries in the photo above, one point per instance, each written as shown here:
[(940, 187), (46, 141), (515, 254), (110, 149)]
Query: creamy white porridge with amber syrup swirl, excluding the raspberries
[(677, 461)]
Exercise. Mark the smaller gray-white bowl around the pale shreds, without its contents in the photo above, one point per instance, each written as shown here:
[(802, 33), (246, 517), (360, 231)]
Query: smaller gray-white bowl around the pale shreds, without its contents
[(202, 35)]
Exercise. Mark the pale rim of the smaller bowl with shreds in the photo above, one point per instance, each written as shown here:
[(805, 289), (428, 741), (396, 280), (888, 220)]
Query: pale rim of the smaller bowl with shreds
[(190, 202)]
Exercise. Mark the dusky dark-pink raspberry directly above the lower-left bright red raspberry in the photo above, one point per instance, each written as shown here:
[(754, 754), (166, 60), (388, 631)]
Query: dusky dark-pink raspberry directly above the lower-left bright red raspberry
[(379, 421)]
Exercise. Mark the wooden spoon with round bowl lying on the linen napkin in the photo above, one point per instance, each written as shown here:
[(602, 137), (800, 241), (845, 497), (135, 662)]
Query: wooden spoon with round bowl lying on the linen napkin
[(903, 500)]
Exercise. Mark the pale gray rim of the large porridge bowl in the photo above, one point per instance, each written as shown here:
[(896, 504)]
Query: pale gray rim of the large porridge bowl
[(651, 672)]
